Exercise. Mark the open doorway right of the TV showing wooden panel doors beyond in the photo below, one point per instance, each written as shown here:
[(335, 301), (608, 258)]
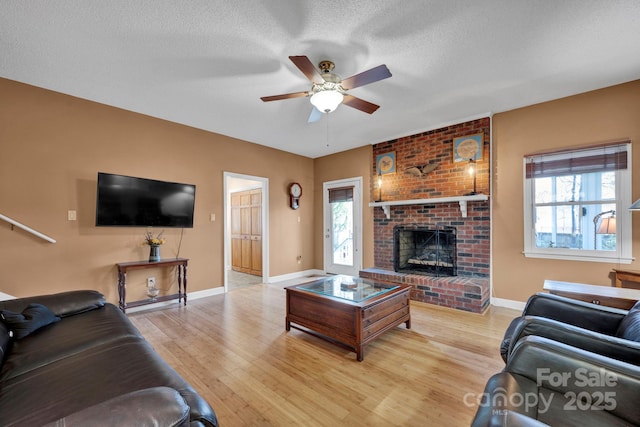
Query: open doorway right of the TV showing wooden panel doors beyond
[(245, 230)]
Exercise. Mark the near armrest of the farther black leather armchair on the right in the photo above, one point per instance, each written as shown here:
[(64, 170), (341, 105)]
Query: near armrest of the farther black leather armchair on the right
[(595, 342)]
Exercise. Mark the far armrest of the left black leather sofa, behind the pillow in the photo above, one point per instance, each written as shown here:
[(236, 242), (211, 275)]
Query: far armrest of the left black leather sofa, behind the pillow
[(62, 304)]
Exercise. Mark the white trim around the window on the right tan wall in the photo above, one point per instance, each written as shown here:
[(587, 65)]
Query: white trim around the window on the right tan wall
[(622, 255)]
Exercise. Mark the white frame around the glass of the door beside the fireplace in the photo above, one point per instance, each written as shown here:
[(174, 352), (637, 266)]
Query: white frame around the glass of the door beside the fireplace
[(357, 219)]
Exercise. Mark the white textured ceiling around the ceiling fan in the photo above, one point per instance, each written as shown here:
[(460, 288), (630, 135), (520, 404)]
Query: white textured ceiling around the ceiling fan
[(206, 63)]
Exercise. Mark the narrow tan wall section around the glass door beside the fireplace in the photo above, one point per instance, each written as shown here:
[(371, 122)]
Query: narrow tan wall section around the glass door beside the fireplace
[(348, 164)]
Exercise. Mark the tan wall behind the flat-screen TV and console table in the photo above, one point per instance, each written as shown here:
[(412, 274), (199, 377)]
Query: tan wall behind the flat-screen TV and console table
[(53, 145)]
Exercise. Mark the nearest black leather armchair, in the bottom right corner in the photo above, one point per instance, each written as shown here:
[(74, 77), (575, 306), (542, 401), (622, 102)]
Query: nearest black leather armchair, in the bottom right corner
[(546, 382)]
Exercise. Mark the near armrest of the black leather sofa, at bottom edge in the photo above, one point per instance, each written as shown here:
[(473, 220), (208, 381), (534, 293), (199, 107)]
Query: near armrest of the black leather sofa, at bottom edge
[(157, 406)]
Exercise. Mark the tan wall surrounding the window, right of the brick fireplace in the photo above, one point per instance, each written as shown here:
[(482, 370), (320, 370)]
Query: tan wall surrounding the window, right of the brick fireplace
[(596, 116)]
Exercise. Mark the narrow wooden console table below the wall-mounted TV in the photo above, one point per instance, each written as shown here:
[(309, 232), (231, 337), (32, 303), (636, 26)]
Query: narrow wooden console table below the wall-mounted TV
[(123, 267)]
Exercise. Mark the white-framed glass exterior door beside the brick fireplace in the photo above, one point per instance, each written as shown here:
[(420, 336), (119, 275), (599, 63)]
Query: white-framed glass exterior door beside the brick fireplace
[(342, 222)]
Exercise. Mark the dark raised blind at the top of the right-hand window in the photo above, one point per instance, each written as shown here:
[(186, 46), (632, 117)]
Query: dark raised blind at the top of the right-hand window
[(600, 158)]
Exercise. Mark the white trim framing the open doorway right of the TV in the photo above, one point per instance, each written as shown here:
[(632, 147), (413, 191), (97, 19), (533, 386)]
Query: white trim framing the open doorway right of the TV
[(264, 185)]
